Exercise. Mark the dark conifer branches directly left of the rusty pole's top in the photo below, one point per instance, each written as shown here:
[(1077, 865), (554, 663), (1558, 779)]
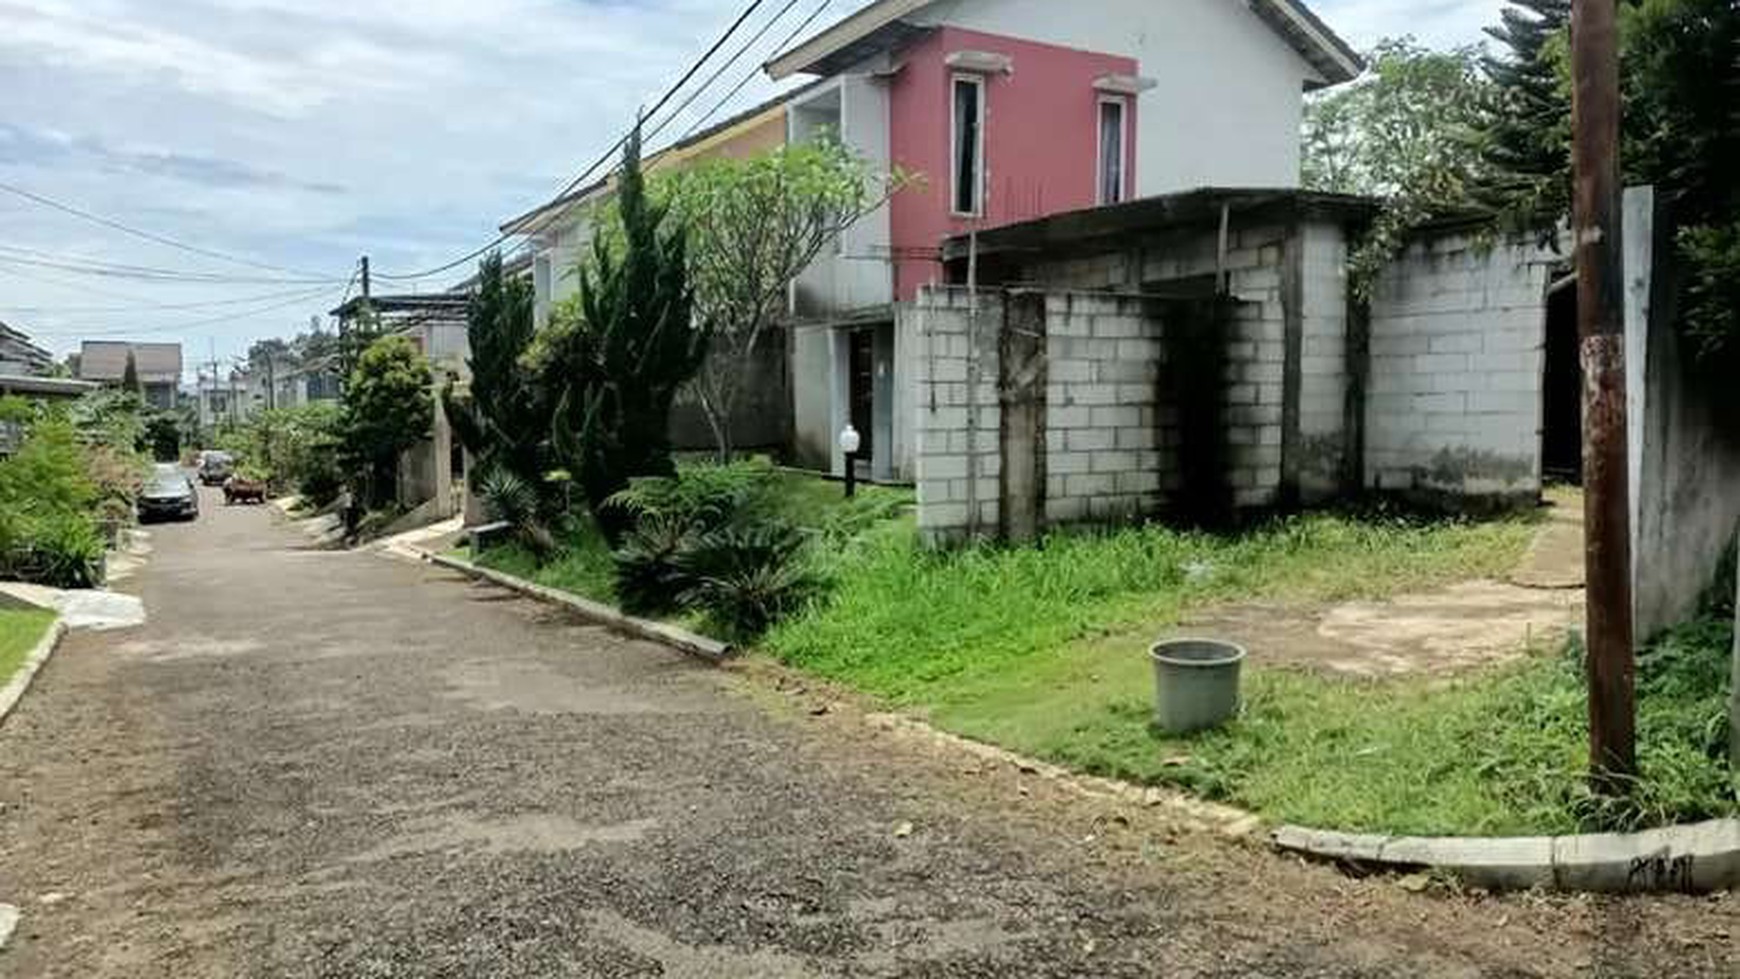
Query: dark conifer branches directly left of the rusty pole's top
[(1529, 145)]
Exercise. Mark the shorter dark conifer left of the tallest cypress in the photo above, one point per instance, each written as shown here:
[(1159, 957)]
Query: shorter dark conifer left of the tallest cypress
[(504, 420)]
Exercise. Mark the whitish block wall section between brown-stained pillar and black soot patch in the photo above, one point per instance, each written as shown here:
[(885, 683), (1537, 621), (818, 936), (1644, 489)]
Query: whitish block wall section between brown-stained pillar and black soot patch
[(1106, 437)]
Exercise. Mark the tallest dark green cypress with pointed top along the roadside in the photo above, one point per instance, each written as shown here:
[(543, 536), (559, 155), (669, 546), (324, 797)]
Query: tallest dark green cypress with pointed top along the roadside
[(617, 366)]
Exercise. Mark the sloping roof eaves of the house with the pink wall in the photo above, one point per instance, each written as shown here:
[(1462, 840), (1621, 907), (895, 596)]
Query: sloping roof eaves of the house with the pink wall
[(883, 27)]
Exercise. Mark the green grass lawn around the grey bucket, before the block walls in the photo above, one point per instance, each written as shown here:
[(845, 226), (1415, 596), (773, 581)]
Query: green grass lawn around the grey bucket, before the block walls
[(1043, 651)]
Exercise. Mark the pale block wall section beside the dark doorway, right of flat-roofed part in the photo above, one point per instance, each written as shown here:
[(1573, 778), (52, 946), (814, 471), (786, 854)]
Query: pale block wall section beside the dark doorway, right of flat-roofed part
[(1456, 404)]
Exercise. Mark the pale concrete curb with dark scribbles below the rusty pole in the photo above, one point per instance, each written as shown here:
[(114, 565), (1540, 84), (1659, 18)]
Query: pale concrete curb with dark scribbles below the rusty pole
[(1685, 860)]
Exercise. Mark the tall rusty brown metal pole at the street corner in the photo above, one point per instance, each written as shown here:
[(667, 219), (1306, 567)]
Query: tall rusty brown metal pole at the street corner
[(1602, 324)]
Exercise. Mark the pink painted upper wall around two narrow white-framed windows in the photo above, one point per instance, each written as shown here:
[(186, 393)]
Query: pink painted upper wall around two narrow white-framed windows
[(1041, 140)]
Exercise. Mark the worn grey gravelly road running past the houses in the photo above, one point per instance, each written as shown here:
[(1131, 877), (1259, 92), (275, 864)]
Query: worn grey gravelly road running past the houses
[(337, 764)]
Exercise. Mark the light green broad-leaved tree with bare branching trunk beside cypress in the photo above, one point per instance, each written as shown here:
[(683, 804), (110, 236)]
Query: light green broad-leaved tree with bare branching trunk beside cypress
[(754, 227)]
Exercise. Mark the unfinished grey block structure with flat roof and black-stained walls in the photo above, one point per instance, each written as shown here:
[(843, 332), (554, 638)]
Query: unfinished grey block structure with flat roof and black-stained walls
[(1205, 352)]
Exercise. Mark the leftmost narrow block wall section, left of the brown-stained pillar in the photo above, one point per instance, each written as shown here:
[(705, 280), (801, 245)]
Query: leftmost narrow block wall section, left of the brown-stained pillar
[(958, 451)]
